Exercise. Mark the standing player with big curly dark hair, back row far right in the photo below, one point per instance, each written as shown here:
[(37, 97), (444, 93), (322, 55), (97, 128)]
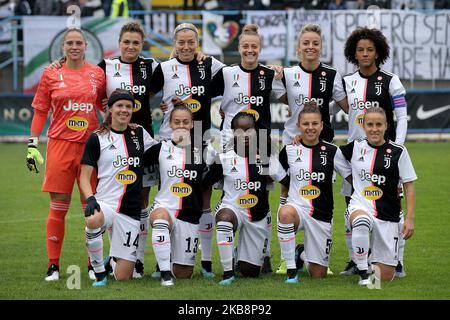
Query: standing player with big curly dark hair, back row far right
[(370, 86)]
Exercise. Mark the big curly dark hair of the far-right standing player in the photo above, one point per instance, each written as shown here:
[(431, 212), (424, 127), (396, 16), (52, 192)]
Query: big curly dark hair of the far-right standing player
[(374, 35)]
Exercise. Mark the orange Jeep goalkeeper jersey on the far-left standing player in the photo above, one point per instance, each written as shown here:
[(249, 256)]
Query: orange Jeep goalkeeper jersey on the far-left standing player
[(73, 96)]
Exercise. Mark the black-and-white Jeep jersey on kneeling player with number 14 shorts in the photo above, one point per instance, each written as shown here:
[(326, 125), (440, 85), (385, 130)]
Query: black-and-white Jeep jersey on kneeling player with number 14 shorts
[(119, 158)]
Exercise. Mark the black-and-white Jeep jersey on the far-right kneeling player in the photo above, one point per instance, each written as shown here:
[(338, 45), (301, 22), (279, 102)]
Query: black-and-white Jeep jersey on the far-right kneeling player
[(376, 172)]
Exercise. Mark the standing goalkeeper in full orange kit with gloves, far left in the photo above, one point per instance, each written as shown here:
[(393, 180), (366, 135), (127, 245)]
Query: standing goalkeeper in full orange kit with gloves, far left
[(73, 94)]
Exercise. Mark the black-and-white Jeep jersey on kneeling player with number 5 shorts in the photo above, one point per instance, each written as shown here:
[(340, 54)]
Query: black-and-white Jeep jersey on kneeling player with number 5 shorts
[(311, 176)]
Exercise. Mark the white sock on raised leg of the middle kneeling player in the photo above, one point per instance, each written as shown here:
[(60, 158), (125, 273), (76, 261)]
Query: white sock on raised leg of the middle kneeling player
[(225, 242)]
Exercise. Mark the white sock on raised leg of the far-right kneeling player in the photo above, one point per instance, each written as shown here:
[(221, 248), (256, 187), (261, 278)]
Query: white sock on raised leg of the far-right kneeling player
[(361, 241)]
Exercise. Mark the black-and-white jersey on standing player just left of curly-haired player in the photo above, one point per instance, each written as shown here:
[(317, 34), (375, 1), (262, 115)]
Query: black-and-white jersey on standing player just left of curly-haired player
[(321, 85)]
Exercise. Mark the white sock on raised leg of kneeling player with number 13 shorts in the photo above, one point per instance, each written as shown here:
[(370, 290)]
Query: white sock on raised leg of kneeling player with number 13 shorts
[(161, 243)]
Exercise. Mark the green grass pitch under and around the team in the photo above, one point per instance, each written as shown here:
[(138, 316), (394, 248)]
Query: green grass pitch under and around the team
[(23, 261)]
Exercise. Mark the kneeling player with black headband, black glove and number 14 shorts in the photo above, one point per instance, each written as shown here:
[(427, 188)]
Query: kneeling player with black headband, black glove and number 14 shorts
[(116, 151)]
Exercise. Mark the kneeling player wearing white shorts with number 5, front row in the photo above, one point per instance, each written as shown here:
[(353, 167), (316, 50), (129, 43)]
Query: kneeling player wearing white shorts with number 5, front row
[(309, 204)]
